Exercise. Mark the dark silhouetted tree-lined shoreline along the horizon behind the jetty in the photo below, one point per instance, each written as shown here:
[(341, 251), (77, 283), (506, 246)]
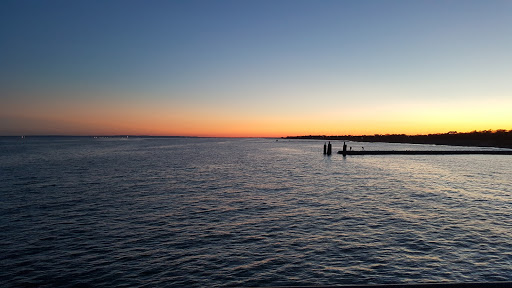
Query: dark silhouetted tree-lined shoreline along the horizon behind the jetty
[(486, 138)]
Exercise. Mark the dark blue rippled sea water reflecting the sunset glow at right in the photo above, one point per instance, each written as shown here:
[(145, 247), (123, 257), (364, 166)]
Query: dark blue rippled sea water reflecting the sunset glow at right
[(186, 212)]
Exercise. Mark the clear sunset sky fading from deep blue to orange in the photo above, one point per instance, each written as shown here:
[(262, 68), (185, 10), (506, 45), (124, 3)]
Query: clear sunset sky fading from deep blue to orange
[(266, 68)]
